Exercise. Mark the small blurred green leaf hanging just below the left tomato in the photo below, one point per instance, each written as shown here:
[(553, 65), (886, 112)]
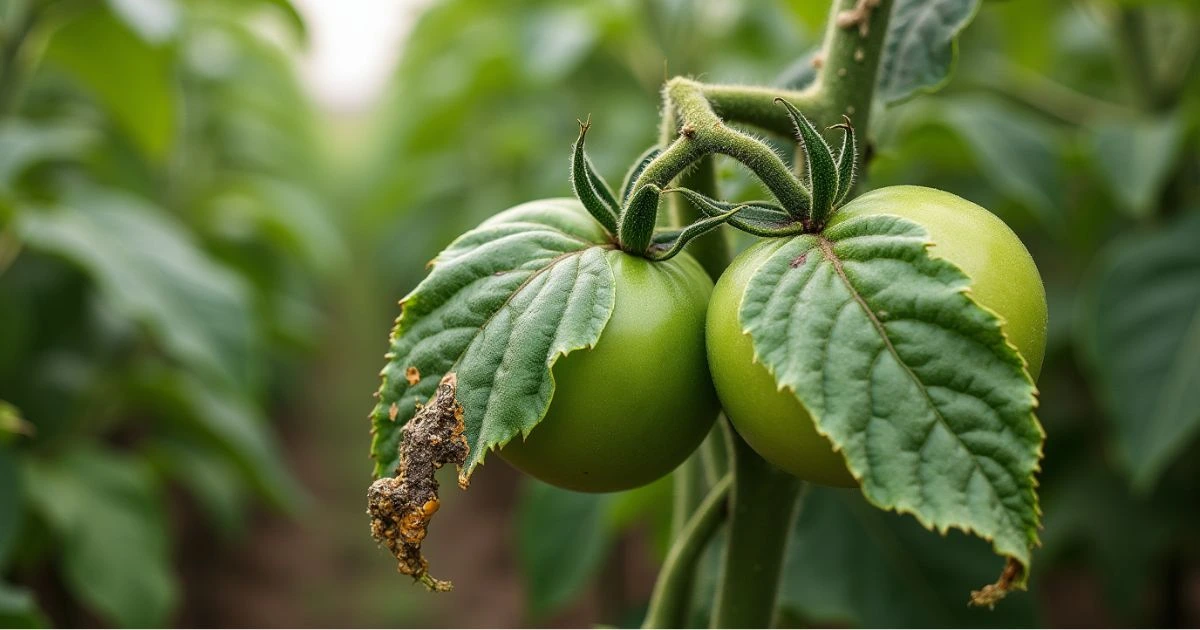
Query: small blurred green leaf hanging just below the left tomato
[(562, 542)]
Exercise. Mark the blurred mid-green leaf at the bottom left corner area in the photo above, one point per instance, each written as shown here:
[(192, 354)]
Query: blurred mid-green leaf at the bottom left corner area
[(107, 513)]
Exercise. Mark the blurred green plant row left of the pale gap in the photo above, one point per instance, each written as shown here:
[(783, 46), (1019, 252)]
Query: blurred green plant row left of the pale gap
[(161, 236)]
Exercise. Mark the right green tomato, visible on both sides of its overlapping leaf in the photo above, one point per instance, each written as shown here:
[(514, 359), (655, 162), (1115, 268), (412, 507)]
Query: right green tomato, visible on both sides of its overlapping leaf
[(1004, 279)]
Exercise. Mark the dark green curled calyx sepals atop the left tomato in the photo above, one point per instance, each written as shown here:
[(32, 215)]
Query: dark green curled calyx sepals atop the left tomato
[(632, 221)]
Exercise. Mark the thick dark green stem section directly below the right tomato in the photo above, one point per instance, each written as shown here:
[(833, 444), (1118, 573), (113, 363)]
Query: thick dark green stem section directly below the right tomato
[(765, 503)]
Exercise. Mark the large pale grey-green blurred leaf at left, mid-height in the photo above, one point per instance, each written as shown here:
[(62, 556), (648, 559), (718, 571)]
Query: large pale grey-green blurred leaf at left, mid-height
[(153, 273)]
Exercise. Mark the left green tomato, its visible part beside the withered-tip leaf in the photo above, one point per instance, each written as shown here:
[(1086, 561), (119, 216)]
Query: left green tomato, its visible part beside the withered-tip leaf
[(634, 407)]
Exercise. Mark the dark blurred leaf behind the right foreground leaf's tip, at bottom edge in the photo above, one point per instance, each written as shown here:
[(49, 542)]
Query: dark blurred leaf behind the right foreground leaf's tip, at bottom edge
[(902, 577)]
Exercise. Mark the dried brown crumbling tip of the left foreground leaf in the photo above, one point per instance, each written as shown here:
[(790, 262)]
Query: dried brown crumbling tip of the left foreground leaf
[(401, 507)]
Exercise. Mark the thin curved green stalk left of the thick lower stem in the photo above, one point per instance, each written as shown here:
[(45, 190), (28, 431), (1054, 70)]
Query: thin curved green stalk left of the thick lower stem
[(671, 601)]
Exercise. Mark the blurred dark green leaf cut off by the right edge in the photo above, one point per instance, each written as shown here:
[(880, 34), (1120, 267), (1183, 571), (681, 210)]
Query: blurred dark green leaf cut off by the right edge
[(1141, 329)]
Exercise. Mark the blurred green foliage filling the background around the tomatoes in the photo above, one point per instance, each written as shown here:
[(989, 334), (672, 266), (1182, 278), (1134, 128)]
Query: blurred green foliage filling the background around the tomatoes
[(199, 269)]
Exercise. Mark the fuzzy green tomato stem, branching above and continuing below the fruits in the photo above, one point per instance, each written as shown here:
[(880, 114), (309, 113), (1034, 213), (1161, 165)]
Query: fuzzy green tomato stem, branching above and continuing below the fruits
[(763, 501)]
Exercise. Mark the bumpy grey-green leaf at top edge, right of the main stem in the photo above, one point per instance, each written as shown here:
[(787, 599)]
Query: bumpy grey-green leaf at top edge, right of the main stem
[(921, 46)]
